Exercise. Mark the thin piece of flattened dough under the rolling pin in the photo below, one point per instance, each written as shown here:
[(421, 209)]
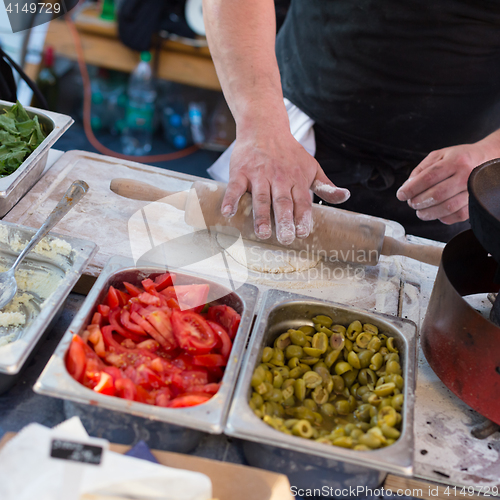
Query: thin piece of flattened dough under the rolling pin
[(266, 258)]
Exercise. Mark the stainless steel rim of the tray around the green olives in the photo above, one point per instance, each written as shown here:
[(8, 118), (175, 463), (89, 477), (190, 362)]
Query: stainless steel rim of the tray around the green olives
[(243, 424)]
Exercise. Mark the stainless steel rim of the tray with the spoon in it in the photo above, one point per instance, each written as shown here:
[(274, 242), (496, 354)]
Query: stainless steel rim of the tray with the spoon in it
[(84, 251)]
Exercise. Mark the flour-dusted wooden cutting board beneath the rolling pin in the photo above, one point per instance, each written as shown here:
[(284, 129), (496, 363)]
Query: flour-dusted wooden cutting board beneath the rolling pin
[(110, 221)]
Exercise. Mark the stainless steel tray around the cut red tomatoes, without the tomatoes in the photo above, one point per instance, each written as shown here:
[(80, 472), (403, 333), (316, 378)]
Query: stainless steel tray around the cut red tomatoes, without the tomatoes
[(208, 417)]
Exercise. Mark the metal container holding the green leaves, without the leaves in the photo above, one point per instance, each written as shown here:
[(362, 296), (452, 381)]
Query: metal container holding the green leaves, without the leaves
[(14, 186)]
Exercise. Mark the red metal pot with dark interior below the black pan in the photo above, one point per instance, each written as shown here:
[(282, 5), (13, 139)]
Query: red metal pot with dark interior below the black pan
[(460, 344)]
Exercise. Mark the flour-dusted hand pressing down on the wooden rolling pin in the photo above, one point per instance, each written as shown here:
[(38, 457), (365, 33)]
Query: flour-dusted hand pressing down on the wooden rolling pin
[(278, 171)]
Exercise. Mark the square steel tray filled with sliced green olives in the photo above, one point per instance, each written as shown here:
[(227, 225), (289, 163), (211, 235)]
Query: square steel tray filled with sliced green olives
[(329, 380)]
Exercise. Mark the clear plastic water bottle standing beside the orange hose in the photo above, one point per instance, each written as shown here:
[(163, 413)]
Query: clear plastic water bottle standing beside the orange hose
[(138, 132)]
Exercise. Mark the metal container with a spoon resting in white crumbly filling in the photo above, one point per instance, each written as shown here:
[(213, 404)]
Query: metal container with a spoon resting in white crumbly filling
[(15, 355)]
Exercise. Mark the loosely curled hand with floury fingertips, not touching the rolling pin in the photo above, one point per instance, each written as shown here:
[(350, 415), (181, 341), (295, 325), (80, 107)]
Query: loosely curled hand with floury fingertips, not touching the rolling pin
[(437, 187)]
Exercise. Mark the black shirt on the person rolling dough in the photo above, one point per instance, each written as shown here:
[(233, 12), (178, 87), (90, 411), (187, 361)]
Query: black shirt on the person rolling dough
[(398, 76)]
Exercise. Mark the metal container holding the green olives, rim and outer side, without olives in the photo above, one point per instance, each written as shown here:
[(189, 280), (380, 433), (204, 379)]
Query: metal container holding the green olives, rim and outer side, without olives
[(309, 464)]
